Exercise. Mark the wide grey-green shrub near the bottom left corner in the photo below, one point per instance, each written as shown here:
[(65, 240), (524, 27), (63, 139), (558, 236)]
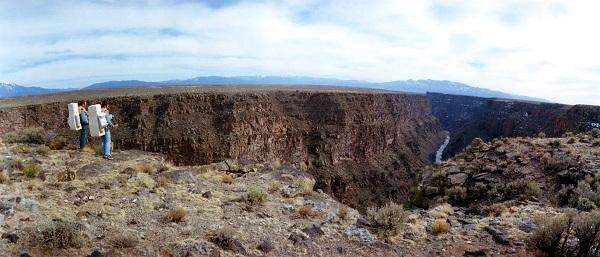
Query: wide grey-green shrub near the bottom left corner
[(59, 234)]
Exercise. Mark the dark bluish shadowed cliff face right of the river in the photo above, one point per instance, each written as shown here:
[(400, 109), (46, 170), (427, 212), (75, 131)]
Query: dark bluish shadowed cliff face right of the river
[(467, 117)]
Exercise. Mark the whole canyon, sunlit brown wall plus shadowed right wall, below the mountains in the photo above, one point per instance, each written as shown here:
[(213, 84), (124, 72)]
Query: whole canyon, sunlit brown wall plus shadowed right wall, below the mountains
[(364, 147)]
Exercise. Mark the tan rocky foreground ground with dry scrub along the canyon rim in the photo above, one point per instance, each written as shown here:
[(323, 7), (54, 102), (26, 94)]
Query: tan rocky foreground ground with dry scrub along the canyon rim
[(72, 203)]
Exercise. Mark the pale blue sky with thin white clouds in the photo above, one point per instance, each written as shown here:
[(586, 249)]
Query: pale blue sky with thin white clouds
[(548, 49)]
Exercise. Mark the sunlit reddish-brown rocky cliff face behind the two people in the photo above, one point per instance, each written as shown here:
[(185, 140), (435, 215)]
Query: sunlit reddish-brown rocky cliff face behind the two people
[(363, 148)]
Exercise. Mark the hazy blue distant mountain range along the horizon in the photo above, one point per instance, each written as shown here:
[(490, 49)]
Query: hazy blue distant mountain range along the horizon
[(418, 86)]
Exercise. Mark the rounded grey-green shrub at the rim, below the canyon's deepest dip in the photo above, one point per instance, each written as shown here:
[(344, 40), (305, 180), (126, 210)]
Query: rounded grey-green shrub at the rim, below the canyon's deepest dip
[(388, 220)]
